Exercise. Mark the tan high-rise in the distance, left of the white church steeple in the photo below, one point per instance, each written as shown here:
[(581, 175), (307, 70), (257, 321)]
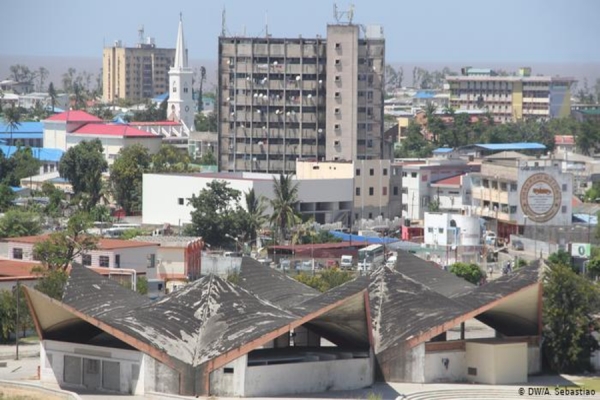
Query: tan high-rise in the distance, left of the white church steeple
[(135, 73)]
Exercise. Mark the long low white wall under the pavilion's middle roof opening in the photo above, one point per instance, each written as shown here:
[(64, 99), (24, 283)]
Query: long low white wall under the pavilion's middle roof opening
[(306, 377)]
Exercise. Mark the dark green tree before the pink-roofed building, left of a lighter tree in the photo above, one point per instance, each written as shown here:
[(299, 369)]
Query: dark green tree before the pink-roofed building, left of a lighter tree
[(83, 165)]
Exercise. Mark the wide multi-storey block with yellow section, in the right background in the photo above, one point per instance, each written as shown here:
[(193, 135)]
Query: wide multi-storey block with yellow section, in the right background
[(511, 98)]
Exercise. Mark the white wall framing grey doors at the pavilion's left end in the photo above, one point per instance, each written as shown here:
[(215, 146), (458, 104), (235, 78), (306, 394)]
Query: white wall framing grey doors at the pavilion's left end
[(53, 371)]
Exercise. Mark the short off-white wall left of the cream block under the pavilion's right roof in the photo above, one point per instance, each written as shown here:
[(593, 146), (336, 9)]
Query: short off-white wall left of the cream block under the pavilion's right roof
[(436, 371)]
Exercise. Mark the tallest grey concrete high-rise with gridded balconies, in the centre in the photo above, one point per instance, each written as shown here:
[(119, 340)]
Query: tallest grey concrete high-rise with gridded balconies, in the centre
[(284, 99)]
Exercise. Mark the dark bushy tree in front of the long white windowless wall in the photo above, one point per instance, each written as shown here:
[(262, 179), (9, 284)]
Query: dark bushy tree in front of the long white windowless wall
[(217, 215)]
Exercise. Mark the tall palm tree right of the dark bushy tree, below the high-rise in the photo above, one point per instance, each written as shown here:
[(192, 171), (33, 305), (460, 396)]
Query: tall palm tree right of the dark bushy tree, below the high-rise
[(284, 205)]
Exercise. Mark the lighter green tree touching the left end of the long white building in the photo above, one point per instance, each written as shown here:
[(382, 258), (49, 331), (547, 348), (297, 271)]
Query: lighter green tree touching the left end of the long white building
[(126, 177)]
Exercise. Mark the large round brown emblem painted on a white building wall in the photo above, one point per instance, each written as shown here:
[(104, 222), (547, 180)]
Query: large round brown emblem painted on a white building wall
[(541, 197)]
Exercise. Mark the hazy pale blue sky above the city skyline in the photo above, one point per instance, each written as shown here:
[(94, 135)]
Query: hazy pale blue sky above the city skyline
[(430, 31)]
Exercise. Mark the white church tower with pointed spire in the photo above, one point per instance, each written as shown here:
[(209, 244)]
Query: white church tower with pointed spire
[(181, 101)]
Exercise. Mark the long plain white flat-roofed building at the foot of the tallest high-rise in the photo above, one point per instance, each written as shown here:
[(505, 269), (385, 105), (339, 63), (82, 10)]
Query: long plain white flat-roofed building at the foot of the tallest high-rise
[(166, 195)]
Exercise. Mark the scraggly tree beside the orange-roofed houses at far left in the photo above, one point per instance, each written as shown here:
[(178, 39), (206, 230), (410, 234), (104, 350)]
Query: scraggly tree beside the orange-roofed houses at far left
[(61, 248)]
